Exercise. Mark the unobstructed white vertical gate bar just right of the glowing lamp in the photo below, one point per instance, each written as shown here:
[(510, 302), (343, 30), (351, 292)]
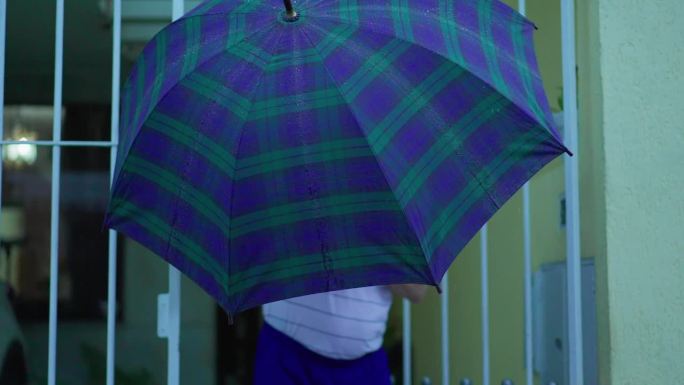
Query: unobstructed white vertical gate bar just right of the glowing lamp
[(54, 209)]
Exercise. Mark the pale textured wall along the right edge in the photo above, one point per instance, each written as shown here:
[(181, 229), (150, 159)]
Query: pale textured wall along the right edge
[(642, 78)]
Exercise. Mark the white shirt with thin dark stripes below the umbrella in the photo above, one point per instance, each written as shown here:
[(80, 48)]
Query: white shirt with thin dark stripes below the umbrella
[(344, 324)]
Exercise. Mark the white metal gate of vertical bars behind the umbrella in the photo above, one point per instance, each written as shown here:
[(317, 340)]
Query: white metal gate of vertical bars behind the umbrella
[(169, 325)]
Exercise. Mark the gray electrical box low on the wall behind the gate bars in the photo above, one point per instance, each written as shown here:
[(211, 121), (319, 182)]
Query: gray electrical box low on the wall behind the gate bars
[(550, 323)]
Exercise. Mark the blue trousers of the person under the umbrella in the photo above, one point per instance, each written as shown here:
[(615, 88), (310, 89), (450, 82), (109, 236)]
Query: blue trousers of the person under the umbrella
[(280, 360)]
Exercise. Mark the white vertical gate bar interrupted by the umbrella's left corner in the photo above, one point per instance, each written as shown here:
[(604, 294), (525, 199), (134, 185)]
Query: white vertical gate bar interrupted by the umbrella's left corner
[(111, 253)]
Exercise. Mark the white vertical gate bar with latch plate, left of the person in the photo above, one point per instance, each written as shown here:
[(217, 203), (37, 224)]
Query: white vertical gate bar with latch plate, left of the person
[(174, 281)]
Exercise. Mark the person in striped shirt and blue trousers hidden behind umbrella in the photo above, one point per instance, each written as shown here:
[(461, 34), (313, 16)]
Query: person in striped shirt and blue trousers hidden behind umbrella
[(332, 338)]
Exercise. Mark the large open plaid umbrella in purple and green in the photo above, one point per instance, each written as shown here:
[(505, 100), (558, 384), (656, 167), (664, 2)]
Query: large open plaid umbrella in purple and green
[(269, 153)]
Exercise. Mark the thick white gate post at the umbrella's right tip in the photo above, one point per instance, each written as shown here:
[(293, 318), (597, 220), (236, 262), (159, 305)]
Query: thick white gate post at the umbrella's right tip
[(575, 353)]
